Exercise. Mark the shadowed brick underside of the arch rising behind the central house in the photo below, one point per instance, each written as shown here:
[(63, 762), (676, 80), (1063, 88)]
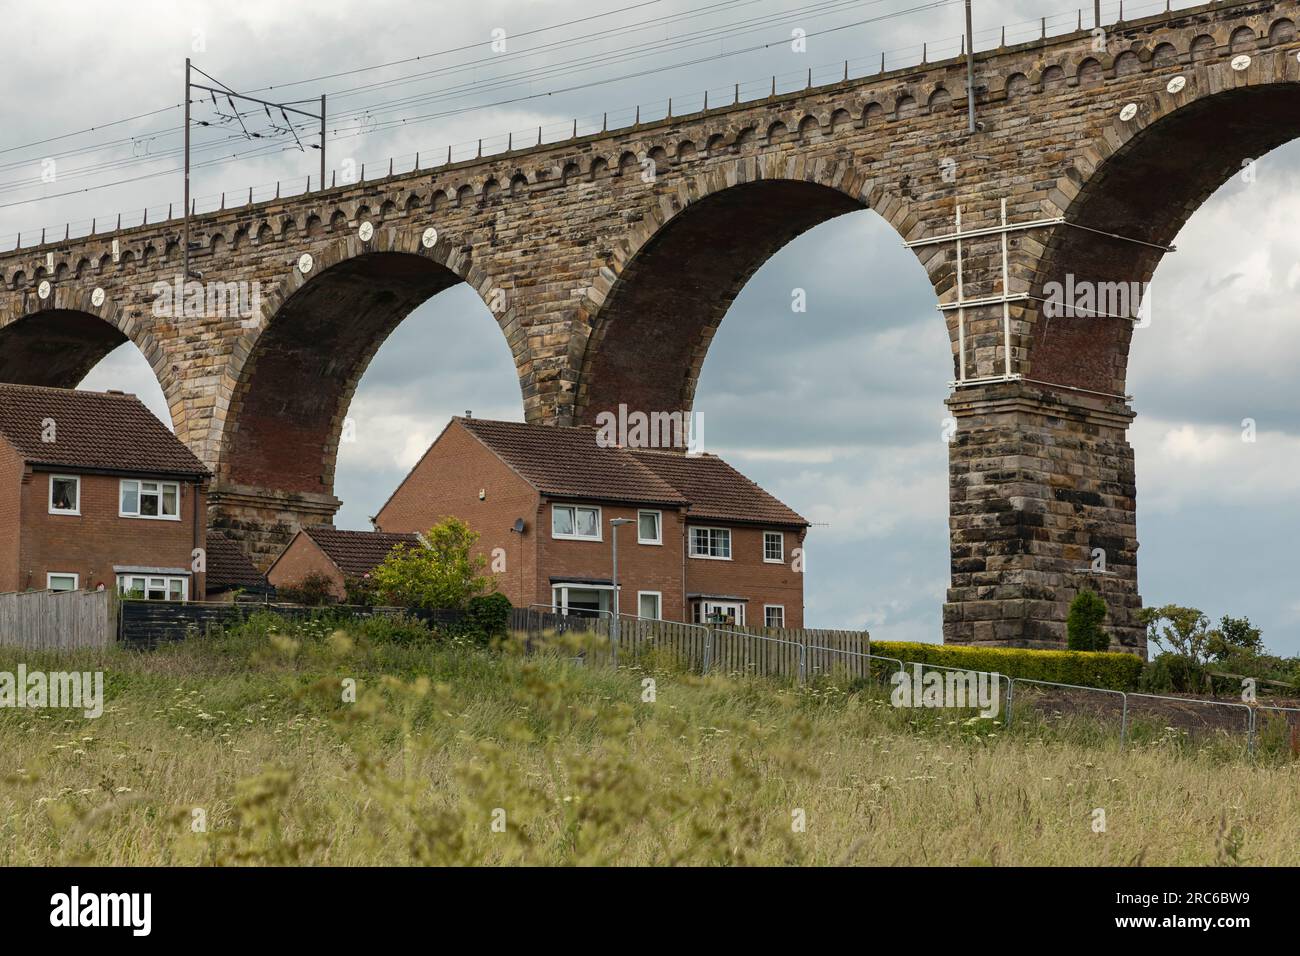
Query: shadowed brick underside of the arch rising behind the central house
[(649, 340)]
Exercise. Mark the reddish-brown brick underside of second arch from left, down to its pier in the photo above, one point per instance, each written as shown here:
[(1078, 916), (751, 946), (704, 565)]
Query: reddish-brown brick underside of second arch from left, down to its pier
[(289, 413)]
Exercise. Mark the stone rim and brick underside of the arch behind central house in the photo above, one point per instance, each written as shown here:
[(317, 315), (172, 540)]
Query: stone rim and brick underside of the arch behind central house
[(643, 328)]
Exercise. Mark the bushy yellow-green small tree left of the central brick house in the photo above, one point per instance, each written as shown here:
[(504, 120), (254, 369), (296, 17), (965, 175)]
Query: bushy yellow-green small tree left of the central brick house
[(440, 573)]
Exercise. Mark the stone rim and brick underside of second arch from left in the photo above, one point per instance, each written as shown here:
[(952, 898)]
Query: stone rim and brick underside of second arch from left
[(291, 380)]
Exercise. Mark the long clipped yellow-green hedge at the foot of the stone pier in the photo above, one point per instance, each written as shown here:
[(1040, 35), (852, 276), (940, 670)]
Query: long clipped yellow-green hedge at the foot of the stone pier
[(1085, 668)]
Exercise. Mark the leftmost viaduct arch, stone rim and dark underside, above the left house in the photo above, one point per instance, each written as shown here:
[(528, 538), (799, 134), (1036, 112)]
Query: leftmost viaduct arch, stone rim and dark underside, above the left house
[(59, 341)]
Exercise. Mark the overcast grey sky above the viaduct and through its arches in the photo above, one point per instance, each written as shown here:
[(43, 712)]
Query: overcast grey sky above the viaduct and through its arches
[(838, 412)]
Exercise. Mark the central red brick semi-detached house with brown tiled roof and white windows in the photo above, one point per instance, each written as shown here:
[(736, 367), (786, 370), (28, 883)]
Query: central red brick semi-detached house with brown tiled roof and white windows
[(703, 542)]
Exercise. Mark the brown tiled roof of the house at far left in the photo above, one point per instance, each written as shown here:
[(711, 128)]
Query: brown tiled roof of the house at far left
[(92, 430)]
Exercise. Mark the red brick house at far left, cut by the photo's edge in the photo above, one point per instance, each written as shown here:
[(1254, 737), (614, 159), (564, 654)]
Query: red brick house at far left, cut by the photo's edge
[(96, 492)]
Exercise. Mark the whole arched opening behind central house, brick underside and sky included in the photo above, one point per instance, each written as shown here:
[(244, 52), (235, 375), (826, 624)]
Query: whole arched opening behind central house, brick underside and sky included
[(822, 366)]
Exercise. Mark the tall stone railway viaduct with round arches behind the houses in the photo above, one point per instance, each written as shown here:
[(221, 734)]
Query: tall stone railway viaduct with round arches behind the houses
[(609, 282)]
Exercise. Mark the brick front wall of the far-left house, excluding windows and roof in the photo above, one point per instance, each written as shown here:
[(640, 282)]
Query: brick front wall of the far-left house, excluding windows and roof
[(98, 540)]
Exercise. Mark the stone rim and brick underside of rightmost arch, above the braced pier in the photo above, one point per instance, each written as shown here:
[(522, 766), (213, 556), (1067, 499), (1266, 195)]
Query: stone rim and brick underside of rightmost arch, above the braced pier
[(1143, 179)]
